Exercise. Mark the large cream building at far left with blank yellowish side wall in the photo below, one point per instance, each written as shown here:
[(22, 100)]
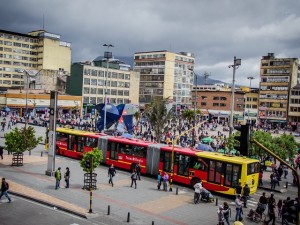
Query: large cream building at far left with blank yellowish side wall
[(41, 53)]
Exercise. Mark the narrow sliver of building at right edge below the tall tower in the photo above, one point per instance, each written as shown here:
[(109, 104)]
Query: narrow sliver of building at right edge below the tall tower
[(294, 108)]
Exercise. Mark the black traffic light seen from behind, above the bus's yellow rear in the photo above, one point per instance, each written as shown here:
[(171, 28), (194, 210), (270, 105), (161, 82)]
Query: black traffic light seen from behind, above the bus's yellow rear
[(244, 139)]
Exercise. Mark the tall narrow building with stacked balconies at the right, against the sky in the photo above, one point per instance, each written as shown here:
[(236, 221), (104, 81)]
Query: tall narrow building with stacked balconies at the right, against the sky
[(277, 75)]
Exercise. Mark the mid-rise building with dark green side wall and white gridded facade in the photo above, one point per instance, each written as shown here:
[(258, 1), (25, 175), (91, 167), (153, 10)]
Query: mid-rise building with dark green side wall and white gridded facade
[(88, 79)]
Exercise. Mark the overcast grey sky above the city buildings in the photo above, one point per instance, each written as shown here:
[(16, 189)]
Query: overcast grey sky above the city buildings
[(214, 30)]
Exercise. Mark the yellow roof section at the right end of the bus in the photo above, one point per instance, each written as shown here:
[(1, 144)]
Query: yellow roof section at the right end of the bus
[(226, 158)]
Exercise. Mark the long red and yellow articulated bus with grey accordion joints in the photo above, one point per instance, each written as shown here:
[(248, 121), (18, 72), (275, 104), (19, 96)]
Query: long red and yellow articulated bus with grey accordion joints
[(218, 172)]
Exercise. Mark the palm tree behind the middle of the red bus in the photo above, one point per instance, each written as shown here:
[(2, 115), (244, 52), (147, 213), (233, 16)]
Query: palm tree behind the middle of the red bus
[(158, 115)]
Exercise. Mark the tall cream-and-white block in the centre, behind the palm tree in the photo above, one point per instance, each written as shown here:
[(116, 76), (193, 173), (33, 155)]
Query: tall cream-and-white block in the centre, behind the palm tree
[(165, 75)]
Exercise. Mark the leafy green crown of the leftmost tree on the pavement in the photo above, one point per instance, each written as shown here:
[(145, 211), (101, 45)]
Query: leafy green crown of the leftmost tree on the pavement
[(21, 140)]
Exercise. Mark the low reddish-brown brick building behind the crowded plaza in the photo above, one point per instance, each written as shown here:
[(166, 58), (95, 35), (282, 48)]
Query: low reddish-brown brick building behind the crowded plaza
[(218, 103)]
